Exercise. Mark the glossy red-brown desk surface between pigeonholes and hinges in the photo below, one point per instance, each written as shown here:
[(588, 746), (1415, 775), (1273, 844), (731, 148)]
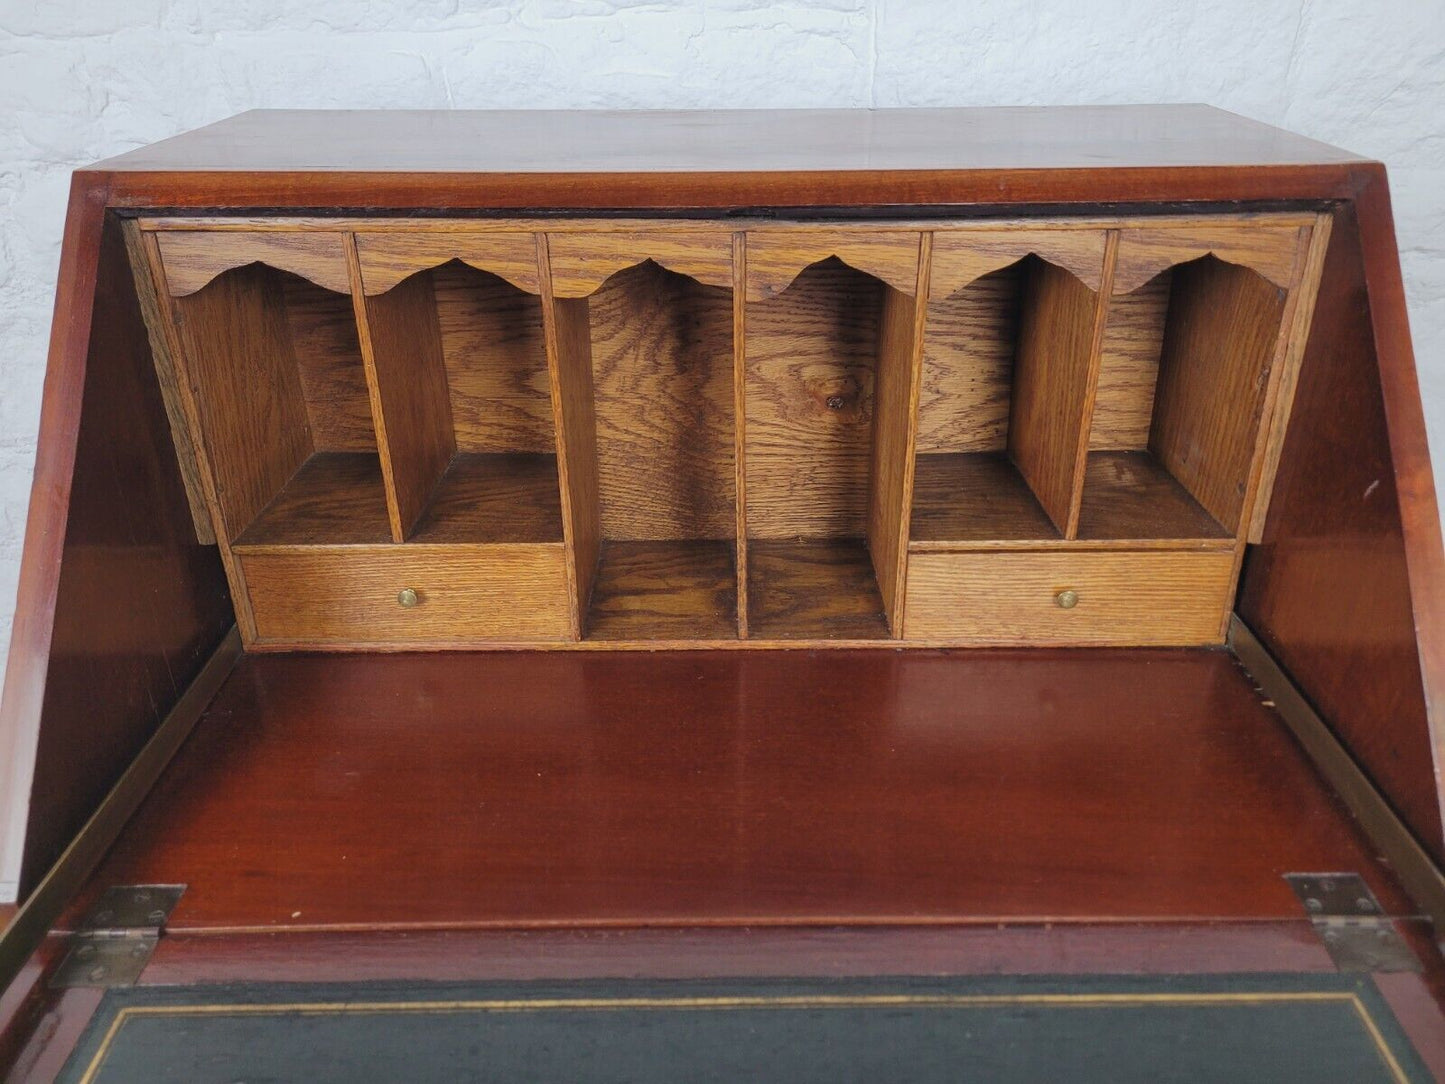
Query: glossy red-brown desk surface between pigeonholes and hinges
[(736, 788)]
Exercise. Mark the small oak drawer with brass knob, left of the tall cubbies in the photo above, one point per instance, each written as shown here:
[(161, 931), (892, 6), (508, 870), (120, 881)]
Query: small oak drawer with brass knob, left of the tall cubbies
[(408, 595)]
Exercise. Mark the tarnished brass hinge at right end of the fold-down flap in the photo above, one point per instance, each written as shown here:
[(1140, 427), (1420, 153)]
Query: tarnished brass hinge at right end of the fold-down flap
[(1352, 924)]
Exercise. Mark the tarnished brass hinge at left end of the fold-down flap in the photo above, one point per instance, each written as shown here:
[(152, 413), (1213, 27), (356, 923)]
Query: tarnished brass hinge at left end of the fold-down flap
[(115, 942)]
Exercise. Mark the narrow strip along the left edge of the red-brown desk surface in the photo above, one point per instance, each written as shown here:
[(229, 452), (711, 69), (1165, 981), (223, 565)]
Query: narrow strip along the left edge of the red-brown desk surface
[(33, 923)]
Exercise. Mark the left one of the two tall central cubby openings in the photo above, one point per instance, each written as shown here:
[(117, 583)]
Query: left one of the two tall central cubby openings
[(663, 457)]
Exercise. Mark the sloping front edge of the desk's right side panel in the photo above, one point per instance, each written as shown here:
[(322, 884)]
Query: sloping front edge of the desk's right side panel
[(1410, 452)]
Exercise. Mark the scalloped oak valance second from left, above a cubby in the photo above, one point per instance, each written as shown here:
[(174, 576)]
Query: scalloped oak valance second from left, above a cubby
[(388, 258)]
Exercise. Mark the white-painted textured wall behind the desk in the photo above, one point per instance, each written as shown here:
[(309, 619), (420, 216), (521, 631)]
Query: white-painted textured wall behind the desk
[(86, 79)]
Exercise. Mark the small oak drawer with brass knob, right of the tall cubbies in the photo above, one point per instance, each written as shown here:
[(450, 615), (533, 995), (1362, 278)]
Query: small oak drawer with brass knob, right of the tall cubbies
[(1070, 599)]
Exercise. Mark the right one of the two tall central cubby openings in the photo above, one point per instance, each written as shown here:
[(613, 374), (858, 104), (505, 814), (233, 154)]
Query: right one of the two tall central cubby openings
[(816, 359)]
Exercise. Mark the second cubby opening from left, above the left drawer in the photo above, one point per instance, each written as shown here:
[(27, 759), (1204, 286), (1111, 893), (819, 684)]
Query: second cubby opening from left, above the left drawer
[(466, 407)]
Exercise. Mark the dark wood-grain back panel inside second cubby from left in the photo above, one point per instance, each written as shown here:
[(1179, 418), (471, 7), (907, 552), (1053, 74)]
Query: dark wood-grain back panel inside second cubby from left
[(496, 364)]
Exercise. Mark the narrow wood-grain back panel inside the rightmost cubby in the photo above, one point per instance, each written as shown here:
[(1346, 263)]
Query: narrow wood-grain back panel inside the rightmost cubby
[(1129, 366)]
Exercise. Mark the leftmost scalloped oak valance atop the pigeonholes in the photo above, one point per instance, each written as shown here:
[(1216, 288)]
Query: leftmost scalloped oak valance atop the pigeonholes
[(194, 258)]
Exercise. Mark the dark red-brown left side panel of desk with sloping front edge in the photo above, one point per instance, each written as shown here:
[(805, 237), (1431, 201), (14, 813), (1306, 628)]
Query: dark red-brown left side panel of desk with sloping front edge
[(119, 605)]
